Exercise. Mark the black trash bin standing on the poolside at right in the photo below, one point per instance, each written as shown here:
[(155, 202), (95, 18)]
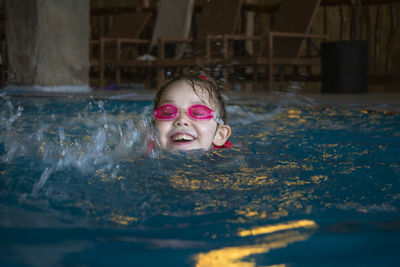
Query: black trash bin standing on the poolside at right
[(344, 67)]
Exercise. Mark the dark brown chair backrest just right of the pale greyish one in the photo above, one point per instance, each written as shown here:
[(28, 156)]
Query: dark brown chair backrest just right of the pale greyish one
[(218, 17)]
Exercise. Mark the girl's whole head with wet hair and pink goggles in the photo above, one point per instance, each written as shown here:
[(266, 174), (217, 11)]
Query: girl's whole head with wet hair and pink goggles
[(190, 114)]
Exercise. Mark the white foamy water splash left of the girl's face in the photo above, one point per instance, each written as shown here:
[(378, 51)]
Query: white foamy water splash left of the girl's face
[(93, 138)]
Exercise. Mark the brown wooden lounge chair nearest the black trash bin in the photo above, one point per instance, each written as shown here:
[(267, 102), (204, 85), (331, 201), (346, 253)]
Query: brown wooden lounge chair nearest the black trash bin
[(286, 40)]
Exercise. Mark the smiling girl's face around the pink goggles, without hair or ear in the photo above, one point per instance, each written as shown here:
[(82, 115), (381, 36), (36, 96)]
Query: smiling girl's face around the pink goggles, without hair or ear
[(183, 133)]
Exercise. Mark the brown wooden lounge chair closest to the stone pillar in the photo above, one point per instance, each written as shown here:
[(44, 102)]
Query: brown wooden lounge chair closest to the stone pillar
[(107, 50)]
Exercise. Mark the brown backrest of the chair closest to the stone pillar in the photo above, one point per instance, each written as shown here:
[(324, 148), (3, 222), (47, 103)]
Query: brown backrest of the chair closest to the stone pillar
[(129, 25)]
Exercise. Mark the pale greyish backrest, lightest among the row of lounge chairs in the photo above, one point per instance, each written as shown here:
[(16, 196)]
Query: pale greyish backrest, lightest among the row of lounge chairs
[(174, 20)]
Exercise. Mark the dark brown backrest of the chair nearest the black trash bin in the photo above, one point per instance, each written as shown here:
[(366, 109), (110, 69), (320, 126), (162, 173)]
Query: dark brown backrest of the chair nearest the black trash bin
[(297, 17)]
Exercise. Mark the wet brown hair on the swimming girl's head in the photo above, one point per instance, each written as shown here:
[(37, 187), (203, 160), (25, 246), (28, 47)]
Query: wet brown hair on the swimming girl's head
[(198, 82)]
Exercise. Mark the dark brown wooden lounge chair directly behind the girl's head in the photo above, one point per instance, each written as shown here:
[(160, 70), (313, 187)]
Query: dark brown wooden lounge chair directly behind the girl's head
[(218, 18)]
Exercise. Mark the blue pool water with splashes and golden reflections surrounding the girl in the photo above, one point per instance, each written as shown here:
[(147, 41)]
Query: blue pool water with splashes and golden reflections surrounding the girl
[(304, 186)]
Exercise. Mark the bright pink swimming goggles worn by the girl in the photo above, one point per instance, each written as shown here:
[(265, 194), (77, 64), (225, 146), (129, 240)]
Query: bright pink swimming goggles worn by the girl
[(195, 112)]
